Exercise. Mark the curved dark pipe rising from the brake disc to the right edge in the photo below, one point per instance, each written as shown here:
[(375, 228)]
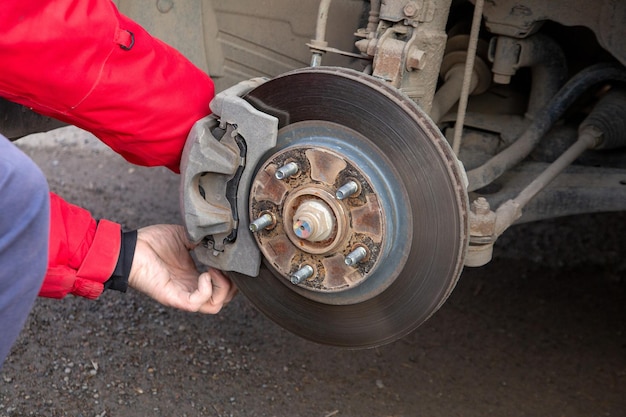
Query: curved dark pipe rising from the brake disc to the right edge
[(543, 122)]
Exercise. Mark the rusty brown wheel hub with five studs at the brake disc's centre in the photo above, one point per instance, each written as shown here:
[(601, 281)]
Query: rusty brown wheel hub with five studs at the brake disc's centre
[(324, 211)]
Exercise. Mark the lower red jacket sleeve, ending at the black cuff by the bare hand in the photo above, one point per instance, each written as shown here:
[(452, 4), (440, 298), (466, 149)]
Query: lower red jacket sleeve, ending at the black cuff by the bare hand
[(82, 252)]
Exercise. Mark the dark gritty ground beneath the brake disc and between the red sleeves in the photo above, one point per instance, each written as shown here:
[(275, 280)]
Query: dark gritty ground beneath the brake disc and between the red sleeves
[(540, 331)]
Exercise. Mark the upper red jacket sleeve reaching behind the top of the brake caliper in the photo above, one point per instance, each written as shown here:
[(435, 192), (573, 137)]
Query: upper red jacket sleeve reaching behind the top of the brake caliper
[(82, 62)]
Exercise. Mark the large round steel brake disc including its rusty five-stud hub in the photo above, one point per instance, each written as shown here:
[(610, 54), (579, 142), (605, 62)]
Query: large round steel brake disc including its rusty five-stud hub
[(360, 211)]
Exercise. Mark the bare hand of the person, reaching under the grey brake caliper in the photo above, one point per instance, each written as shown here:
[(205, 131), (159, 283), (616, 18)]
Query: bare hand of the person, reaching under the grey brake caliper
[(163, 269)]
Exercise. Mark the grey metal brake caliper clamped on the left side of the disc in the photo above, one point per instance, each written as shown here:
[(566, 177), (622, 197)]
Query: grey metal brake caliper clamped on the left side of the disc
[(217, 165)]
